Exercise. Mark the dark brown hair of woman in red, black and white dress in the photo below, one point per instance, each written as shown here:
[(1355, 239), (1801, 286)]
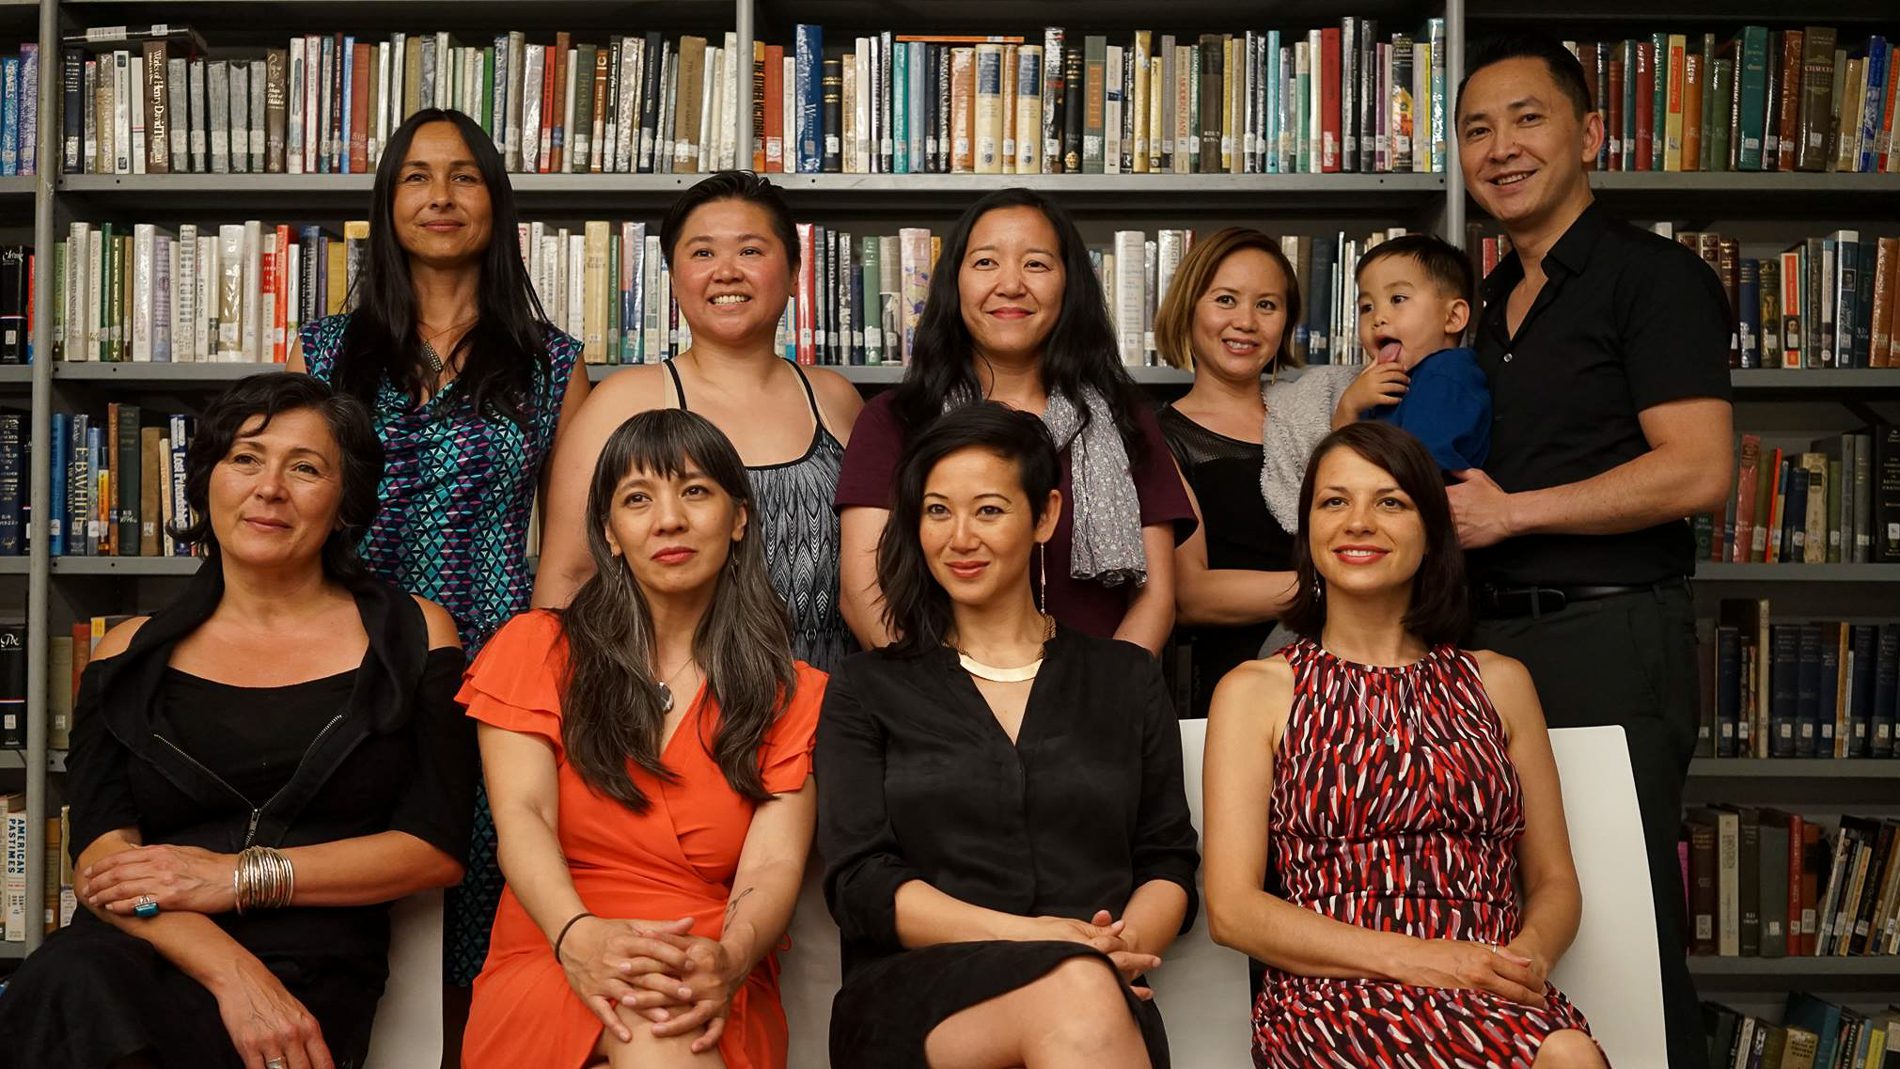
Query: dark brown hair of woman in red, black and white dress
[(1441, 607)]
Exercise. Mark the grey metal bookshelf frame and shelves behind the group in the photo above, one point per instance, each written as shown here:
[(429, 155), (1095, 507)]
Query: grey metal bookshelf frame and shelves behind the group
[(1768, 206)]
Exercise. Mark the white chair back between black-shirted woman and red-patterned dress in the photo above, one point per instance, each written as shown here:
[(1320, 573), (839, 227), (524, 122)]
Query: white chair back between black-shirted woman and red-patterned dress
[(1204, 986)]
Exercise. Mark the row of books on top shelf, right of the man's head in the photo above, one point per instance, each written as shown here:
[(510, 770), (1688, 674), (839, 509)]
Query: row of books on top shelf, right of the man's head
[(1757, 102)]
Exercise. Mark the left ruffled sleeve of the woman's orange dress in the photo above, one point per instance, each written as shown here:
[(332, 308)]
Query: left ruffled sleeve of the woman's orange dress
[(516, 681)]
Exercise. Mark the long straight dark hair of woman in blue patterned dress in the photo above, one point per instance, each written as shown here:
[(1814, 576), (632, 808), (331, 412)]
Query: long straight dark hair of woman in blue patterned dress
[(503, 352)]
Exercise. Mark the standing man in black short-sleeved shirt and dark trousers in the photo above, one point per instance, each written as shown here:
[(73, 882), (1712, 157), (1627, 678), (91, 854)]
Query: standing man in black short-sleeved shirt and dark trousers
[(1606, 350)]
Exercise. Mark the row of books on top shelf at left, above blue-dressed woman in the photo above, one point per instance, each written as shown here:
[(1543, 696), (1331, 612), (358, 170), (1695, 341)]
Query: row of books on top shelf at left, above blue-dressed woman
[(328, 103)]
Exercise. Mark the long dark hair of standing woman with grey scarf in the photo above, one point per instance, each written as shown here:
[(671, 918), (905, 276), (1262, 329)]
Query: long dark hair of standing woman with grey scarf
[(1080, 352)]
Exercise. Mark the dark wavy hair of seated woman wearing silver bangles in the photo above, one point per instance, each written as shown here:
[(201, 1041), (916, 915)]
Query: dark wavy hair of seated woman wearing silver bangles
[(269, 396)]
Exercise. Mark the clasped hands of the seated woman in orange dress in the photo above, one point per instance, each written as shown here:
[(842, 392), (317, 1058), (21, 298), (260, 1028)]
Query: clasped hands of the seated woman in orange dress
[(656, 969)]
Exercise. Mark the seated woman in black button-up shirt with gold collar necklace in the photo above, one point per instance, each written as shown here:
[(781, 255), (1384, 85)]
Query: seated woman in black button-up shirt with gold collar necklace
[(1000, 800)]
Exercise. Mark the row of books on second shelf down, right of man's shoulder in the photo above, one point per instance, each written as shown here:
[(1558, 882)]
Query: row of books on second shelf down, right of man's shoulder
[(1825, 303)]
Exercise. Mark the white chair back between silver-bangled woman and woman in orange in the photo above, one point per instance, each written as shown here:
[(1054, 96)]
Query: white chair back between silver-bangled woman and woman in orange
[(409, 1019)]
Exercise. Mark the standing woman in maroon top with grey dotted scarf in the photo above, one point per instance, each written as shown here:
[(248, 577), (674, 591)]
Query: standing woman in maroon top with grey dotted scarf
[(1016, 316)]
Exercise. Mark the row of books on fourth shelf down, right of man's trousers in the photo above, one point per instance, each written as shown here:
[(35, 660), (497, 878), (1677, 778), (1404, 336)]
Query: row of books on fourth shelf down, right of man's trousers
[(1802, 688)]
